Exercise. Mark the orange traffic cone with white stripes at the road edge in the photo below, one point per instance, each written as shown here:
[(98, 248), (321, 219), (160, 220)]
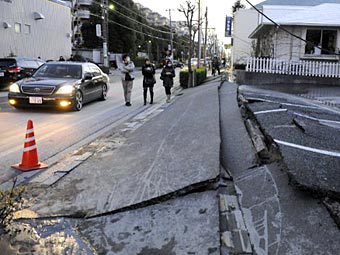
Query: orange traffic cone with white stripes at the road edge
[(30, 159)]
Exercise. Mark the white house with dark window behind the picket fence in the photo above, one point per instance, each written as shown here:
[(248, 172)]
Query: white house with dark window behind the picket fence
[(319, 25)]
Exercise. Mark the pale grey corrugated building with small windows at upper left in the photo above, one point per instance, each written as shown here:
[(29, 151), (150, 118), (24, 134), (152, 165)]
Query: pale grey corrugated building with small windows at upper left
[(35, 28)]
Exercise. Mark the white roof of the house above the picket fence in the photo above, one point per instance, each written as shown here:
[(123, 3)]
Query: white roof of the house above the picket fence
[(324, 15)]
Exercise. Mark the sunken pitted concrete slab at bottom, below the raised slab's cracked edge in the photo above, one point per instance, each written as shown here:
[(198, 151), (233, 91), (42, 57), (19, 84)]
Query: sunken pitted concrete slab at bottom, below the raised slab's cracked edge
[(186, 225)]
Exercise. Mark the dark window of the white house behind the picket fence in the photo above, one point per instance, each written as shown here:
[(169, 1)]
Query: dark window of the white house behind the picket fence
[(325, 39)]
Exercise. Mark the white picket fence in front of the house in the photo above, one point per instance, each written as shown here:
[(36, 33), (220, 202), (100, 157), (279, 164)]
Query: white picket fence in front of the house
[(302, 67)]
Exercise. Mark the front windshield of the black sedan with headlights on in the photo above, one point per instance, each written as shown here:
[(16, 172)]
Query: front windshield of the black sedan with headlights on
[(59, 71)]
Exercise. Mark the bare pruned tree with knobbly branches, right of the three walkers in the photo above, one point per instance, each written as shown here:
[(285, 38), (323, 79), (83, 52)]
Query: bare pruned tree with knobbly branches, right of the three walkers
[(189, 10)]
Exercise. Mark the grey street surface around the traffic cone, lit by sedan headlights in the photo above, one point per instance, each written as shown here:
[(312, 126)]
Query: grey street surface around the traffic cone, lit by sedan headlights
[(60, 132)]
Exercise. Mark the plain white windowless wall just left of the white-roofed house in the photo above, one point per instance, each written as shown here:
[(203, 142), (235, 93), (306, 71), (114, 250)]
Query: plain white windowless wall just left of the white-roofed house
[(245, 22)]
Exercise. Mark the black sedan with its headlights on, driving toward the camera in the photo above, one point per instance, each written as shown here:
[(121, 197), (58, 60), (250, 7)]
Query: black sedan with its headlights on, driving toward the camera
[(65, 85)]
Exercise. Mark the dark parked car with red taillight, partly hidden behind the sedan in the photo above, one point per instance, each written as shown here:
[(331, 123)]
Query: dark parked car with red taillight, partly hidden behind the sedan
[(13, 69)]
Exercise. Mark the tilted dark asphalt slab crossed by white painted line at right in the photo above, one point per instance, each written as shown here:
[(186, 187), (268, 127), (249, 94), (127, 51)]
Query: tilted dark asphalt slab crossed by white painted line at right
[(308, 148)]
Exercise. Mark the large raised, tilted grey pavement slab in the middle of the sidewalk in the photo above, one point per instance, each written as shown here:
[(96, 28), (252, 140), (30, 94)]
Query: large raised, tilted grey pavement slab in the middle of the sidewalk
[(175, 150)]
